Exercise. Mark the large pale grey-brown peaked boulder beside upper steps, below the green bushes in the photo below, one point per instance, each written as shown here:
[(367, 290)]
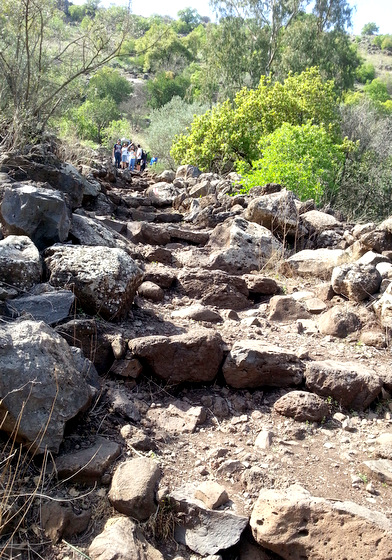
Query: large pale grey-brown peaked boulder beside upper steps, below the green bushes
[(239, 246)]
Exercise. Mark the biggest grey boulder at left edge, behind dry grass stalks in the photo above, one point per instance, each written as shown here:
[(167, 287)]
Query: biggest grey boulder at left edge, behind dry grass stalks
[(41, 386)]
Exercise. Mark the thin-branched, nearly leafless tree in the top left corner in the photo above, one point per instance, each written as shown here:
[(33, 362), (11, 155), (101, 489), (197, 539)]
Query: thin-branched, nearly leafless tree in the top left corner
[(38, 71)]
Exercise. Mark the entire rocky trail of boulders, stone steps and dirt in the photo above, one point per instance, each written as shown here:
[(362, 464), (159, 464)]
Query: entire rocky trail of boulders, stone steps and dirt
[(204, 374)]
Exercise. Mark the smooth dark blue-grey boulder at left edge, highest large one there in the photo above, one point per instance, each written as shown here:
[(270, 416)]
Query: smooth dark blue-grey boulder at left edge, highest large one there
[(36, 212)]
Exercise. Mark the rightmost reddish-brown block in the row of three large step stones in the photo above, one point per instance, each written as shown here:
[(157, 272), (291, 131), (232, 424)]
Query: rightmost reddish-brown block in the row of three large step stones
[(352, 385)]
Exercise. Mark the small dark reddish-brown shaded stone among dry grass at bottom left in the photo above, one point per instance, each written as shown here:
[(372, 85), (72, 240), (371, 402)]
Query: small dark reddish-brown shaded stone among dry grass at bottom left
[(59, 520)]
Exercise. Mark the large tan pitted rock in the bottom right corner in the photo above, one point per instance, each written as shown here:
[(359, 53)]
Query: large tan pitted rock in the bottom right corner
[(296, 525)]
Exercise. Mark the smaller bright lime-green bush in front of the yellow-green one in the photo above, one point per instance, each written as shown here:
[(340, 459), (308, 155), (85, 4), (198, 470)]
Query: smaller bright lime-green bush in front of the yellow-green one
[(303, 158)]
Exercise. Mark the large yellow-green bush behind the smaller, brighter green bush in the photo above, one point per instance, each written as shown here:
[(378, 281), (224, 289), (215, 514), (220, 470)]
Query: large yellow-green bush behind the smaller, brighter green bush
[(230, 132)]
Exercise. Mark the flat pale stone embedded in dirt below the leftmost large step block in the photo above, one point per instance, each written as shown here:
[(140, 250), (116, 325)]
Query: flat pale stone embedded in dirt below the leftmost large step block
[(177, 418)]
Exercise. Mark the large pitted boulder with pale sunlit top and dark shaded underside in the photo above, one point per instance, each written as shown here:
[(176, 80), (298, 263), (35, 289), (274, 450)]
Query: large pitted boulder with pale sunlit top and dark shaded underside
[(104, 280)]
